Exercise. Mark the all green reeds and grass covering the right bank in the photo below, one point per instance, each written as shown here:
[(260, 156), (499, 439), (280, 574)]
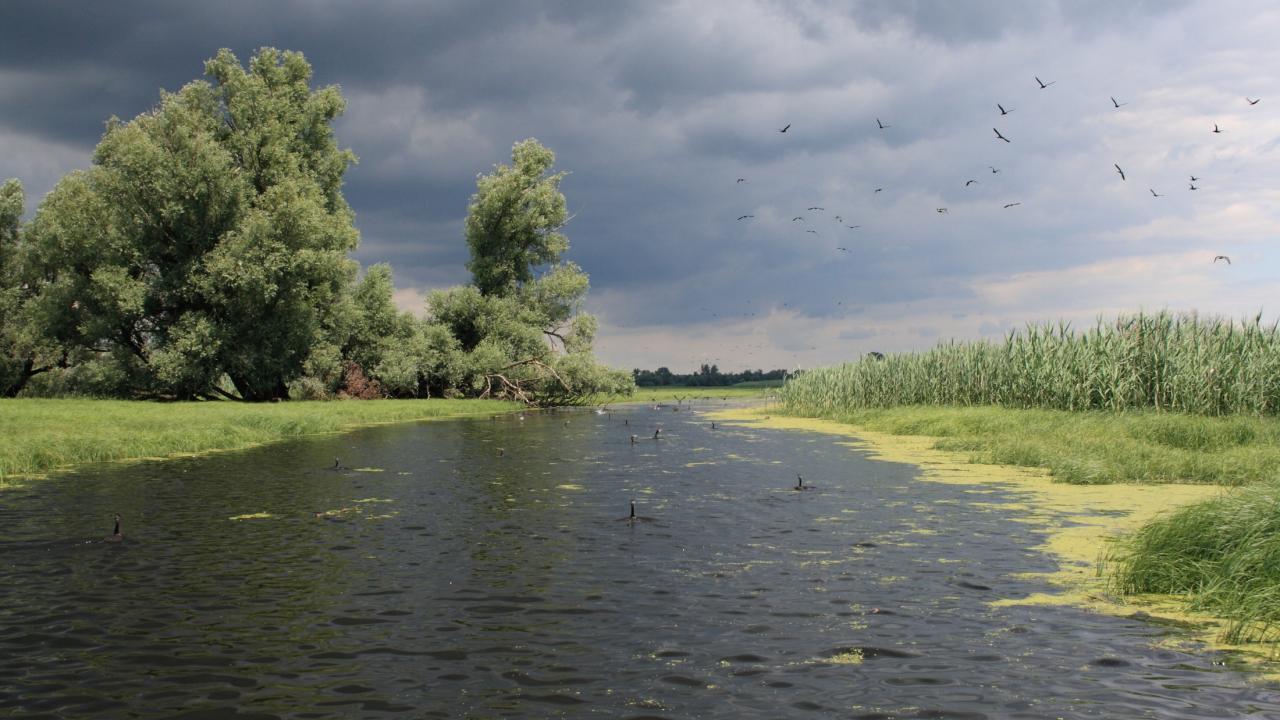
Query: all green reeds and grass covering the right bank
[(1148, 399)]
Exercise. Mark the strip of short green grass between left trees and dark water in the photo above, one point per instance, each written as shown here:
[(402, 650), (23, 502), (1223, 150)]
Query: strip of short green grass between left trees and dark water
[(92, 441)]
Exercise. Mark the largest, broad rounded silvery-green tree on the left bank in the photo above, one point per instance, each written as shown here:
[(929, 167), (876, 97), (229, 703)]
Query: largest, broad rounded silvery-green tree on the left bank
[(209, 239)]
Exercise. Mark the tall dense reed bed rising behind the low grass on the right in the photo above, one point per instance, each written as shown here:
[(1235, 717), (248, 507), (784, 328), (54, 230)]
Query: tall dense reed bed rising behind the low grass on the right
[(1146, 362)]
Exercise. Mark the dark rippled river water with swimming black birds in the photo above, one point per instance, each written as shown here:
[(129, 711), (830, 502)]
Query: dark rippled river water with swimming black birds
[(464, 581)]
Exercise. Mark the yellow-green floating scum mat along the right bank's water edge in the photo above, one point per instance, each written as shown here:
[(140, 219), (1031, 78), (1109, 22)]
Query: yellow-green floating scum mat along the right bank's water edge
[(1080, 525)]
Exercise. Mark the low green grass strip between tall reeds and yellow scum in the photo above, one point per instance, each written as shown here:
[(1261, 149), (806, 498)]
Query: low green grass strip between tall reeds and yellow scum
[(1094, 448)]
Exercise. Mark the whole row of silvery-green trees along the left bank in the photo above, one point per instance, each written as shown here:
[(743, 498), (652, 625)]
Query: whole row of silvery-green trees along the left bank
[(207, 254)]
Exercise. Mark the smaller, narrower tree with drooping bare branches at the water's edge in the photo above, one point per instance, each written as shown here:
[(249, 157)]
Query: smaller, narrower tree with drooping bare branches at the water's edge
[(519, 327)]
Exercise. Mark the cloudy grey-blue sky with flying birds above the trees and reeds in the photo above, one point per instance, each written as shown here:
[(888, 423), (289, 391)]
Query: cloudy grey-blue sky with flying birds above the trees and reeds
[(657, 108)]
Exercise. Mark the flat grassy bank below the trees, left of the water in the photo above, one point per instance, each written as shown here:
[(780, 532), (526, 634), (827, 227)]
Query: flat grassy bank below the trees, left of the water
[(38, 436)]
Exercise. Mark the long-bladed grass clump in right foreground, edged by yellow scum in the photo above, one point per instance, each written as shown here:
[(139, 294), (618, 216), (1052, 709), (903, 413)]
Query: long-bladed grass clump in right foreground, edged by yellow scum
[(1222, 555)]
